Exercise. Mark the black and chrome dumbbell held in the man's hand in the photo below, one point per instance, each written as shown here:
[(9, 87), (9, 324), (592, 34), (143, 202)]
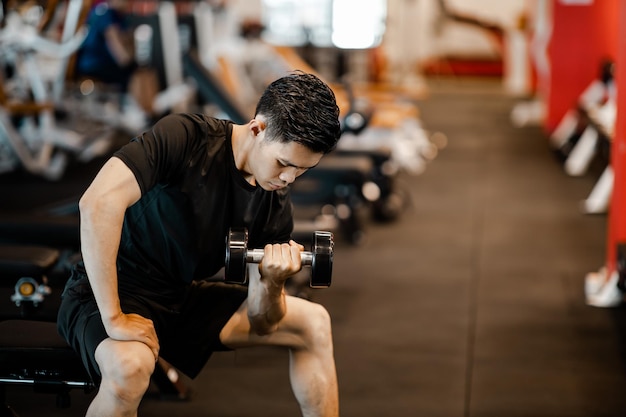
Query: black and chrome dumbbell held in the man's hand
[(238, 256)]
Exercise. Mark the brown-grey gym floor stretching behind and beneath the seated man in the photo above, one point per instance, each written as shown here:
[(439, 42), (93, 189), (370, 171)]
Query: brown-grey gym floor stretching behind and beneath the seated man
[(470, 304)]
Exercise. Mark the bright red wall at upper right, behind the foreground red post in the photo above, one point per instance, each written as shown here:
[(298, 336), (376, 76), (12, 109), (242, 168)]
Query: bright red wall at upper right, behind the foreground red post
[(582, 36)]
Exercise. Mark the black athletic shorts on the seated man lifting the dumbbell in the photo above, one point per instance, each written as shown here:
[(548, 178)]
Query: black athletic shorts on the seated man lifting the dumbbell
[(188, 327)]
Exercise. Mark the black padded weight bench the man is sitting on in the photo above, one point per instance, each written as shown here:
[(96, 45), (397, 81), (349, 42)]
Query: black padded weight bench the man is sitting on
[(31, 351)]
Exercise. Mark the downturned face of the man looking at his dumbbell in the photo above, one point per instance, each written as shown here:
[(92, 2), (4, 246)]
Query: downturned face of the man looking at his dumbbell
[(275, 164)]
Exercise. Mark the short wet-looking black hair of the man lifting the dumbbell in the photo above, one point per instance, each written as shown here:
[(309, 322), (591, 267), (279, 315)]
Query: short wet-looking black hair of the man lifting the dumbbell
[(301, 108)]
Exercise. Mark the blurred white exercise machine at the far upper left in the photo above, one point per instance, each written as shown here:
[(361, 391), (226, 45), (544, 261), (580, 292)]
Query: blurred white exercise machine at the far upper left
[(31, 136)]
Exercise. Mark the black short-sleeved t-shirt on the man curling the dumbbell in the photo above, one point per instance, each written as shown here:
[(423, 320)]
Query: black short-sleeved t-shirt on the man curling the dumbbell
[(192, 193)]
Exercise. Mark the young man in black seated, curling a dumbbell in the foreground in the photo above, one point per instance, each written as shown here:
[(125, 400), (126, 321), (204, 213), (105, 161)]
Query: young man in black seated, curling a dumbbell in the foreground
[(153, 225)]
